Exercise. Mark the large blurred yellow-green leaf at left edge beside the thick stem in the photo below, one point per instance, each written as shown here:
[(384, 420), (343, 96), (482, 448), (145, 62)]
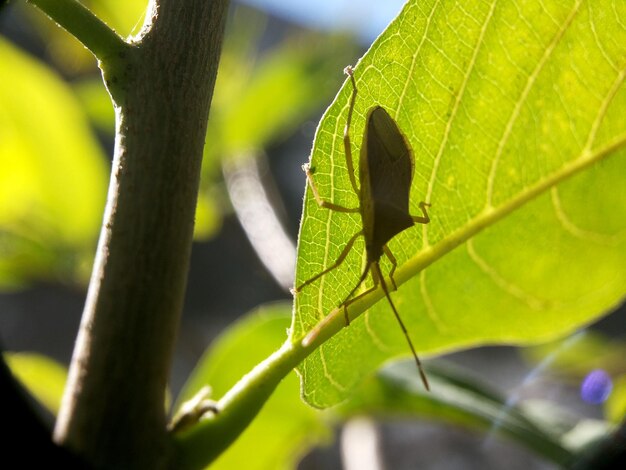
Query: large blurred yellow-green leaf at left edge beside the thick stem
[(53, 178)]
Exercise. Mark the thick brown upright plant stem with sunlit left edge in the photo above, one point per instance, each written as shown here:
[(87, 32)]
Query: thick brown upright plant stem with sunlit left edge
[(113, 411)]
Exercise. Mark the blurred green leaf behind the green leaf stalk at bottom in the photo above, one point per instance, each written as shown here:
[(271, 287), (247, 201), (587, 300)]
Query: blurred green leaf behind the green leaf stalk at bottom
[(285, 427)]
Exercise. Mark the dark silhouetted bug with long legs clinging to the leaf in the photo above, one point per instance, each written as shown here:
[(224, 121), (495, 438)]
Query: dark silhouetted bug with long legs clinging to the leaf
[(385, 175)]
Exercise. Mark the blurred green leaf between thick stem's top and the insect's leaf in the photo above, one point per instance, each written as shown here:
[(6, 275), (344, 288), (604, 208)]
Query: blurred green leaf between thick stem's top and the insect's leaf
[(287, 84)]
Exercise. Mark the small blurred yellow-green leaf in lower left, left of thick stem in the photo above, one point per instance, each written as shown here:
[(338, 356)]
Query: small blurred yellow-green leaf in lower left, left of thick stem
[(43, 377)]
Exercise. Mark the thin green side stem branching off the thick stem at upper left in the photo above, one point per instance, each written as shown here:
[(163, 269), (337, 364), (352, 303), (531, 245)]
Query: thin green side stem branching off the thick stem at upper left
[(90, 30)]
